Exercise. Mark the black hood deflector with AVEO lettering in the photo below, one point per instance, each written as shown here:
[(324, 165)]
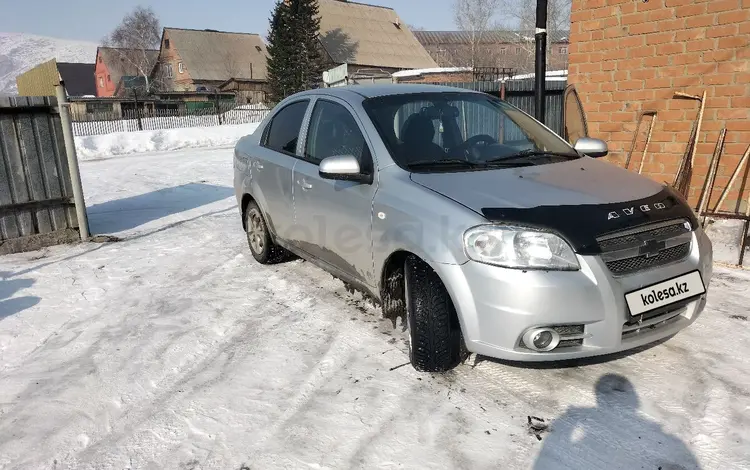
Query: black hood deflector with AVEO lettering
[(581, 225)]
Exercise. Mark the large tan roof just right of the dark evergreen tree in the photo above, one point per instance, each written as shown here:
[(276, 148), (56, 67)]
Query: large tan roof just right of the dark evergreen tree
[(360, 34)]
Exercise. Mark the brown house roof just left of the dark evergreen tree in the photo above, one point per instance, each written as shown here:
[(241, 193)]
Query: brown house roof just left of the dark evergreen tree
[(219, 55)]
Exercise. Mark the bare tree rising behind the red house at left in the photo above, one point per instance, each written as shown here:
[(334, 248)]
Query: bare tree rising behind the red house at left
[(135, 37)]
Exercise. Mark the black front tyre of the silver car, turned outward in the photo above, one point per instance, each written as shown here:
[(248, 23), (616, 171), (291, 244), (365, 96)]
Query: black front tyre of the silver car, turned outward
[(434, 332)]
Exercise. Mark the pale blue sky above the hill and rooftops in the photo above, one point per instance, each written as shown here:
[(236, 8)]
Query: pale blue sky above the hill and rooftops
[(91, 20)]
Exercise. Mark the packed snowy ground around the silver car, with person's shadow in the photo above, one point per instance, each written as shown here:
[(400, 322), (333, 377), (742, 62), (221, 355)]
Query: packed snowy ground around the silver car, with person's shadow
[(174, 349)]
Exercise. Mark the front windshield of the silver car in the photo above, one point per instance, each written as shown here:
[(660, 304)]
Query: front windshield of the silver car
[(428, 132)]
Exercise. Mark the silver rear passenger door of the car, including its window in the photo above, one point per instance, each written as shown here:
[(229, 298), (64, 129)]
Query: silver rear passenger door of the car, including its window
[(272, 167)]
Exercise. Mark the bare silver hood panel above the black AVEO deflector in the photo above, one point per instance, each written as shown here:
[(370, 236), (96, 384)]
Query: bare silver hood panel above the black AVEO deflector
[(583, 181)]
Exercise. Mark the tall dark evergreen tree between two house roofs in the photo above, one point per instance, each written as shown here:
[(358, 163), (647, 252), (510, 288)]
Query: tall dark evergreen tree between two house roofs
[(295, 62)]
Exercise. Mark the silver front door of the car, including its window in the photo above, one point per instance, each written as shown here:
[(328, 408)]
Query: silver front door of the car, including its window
[(333, 219)]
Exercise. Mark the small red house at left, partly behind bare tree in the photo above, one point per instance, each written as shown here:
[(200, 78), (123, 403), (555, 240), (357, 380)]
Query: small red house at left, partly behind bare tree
[(112, 64)]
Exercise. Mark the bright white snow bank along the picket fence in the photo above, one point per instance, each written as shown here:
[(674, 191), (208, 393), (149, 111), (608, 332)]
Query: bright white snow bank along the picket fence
[(123, 143)]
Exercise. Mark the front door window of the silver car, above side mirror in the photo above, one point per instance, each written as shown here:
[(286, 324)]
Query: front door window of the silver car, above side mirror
[(333, 132)]
